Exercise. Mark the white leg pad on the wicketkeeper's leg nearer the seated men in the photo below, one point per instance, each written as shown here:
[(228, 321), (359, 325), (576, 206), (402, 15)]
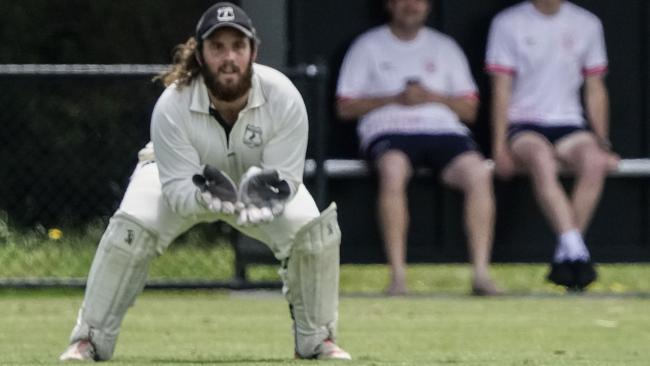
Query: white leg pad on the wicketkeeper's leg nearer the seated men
[(311, 282)]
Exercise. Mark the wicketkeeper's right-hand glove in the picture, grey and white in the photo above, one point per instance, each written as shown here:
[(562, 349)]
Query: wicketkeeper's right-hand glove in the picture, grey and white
[(262, 196)]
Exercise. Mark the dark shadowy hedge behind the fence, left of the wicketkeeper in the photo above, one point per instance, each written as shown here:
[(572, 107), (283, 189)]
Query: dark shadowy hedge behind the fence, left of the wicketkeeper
[(68, 145)]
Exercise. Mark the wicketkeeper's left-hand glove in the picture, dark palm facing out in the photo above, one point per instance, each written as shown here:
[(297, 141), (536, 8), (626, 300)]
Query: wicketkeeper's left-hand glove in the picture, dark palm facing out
[(217, 191)]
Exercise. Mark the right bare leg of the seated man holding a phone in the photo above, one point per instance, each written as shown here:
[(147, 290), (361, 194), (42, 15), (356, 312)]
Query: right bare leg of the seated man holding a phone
[(472, 175)]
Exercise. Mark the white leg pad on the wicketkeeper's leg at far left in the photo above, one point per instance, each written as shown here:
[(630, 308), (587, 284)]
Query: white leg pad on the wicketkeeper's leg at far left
[(116, 277)]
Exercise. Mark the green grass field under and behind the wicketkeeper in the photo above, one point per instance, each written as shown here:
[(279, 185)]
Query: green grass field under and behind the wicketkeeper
[(536, 324)]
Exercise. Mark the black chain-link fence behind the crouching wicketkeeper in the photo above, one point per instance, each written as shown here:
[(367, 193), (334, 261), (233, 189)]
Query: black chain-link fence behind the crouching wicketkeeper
[(69, 143)]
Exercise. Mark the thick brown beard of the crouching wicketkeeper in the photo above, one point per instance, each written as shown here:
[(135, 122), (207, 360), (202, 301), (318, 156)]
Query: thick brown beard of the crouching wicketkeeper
[(231, 91)]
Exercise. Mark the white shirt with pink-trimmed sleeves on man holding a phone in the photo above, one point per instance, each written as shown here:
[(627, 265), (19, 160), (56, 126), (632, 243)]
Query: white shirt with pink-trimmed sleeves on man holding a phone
[(379, 64)]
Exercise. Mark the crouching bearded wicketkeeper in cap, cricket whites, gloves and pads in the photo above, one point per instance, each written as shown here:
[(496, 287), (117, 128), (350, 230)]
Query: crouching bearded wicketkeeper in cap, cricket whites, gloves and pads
[(221, 116)]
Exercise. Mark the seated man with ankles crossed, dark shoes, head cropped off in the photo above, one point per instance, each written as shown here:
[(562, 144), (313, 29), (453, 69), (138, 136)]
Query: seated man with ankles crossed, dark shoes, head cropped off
[(539, 54)]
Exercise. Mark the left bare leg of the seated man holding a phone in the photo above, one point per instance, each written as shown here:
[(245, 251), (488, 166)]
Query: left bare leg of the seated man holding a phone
[(394, 171)]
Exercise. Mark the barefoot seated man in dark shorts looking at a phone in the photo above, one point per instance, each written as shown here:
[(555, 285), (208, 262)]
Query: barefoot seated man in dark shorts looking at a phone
[(411, 86)]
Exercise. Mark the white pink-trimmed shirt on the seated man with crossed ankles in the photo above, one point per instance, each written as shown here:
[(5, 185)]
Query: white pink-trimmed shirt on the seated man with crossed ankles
[(548, 57)]
